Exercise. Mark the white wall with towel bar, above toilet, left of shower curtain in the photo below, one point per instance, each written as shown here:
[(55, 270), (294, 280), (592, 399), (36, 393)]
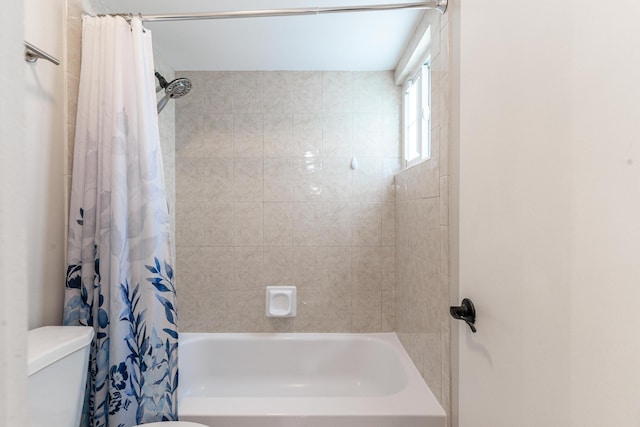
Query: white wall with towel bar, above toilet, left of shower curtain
[(44, 165)]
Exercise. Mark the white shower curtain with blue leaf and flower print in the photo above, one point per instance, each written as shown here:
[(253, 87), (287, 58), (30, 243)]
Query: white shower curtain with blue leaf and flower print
[(119, 272)]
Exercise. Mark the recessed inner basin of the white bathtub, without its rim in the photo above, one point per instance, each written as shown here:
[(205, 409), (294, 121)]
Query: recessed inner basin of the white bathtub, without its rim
[(289, 366)]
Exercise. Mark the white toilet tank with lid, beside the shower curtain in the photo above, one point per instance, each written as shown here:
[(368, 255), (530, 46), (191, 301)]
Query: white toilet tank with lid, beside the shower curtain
[(57, 368)]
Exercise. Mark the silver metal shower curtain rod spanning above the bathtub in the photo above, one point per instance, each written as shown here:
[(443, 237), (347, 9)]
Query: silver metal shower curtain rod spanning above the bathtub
[(440, 5)]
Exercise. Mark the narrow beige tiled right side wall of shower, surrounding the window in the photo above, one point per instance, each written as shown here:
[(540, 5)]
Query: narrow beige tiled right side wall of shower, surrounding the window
[(422, 244)]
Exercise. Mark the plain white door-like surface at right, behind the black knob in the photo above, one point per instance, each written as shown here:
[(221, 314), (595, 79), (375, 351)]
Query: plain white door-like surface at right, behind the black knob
[(547, 199)]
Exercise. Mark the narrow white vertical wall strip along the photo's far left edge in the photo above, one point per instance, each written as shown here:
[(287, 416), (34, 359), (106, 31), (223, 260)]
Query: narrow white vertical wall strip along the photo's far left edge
[(13, 286)]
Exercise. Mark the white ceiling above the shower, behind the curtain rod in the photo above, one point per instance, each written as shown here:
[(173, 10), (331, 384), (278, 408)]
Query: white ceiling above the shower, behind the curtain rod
[(340, 41)]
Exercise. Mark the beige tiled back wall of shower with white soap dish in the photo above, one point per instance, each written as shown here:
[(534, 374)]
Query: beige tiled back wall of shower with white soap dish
[(266, 195)]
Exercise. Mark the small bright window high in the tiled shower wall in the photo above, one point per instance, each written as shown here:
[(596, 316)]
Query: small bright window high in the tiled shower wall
[(417, 116)]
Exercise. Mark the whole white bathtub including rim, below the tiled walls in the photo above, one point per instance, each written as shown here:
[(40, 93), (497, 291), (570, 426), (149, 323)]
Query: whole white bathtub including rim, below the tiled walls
[(310, 380)]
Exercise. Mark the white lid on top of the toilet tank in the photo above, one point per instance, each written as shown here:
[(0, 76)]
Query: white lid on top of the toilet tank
[(49, 344)]
